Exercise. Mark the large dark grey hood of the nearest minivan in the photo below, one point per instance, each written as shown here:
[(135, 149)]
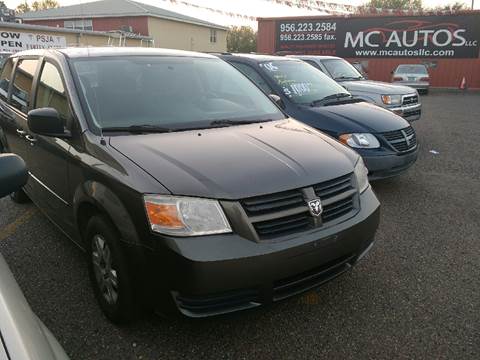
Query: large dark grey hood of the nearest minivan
[(239, 161)]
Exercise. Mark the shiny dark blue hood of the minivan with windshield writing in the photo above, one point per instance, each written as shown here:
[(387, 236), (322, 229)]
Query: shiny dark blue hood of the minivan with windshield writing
[(356, 117)]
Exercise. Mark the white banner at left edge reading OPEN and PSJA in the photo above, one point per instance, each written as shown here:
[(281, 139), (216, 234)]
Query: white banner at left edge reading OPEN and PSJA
[(15, 41)]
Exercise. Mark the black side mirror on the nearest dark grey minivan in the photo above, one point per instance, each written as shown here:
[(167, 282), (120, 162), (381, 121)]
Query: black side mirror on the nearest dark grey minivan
[(47, 122)]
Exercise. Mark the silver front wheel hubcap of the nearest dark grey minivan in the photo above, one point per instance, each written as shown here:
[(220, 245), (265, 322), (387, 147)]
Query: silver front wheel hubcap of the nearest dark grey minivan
[(105, 273)]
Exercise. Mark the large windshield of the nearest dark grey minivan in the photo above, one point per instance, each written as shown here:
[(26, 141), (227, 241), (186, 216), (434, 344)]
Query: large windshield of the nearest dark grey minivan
[(168, 92)]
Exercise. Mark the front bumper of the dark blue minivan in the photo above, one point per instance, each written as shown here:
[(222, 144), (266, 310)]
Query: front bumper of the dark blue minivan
[(386, 166)]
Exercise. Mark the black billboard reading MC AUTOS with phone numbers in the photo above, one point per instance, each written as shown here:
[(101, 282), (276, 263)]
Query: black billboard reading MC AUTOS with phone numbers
[(445, 36)]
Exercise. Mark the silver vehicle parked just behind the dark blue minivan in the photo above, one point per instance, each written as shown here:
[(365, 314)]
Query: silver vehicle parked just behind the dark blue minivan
[(402, 100)]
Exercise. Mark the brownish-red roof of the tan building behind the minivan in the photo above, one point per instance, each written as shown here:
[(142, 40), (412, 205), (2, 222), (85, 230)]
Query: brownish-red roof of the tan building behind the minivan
[(113, 8)]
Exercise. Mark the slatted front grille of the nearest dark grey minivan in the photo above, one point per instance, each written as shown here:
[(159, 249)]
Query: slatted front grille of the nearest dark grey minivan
[(285, 213)]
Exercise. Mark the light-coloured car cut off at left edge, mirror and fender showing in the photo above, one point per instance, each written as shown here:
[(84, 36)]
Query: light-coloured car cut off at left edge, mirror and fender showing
[(22, 335)]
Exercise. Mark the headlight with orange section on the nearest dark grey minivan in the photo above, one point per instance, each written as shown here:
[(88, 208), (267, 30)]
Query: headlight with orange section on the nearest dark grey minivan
[(185, 216)]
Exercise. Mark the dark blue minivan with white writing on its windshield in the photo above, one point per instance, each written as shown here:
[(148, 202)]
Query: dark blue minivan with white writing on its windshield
[(386, 142)]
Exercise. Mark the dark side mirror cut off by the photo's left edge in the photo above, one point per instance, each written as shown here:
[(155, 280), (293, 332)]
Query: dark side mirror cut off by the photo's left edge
[(13, 174)]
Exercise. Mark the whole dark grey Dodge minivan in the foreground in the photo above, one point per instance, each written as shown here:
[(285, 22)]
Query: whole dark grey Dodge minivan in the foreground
[(187, 187)]
